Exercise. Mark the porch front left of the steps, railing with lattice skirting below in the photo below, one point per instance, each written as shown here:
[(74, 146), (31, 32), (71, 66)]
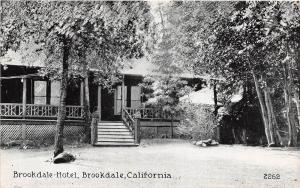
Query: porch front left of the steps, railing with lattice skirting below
[(37, 122)]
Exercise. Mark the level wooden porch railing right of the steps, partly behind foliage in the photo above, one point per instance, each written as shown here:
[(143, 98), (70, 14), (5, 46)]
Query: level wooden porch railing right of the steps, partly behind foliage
[(152, 113)]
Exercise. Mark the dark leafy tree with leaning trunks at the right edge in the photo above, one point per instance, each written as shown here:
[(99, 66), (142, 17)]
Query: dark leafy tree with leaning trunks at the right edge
[(259, 45)]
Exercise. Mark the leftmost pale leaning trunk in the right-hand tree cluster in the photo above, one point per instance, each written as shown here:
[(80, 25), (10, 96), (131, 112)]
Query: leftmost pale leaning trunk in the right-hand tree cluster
[(262, 108)]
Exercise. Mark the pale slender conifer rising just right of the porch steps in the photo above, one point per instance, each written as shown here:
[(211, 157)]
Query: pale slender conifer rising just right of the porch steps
[(167, 86)]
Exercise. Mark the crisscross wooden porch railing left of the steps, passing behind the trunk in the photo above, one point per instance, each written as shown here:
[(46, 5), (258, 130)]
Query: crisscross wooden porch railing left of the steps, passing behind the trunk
[(38, 111)]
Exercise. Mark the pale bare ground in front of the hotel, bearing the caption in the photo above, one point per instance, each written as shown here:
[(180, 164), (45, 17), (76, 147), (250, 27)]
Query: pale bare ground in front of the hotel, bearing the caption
[(189, 166)]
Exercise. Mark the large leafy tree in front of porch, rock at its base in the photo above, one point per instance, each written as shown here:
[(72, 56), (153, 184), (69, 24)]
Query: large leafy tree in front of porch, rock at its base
[(68, 31)]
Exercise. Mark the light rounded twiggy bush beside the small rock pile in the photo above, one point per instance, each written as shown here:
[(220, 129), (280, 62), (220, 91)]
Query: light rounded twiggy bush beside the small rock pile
[(198, 122)]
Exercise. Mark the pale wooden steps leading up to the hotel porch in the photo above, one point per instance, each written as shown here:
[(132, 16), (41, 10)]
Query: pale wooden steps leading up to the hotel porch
[(114, 133)]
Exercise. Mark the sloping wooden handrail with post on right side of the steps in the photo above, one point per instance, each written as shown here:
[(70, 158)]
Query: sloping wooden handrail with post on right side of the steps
[(132, 124)]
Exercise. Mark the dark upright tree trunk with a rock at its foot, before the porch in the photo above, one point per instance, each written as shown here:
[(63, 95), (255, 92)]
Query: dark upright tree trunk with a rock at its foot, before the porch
[(58, 145)]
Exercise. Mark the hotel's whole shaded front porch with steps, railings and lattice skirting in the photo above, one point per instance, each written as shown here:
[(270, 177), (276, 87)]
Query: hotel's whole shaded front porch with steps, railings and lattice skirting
[(29, 106)]
